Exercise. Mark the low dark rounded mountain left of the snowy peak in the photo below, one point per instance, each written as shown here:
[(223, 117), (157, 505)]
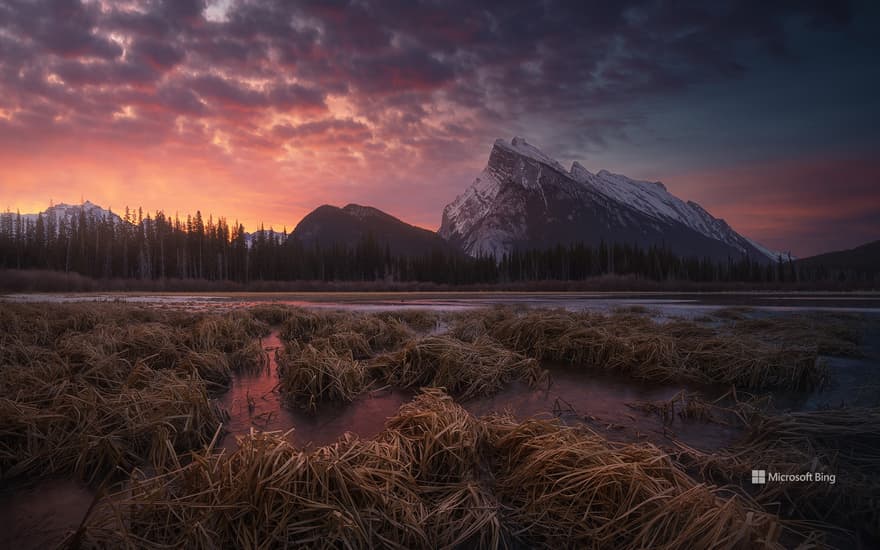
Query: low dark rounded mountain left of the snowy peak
[(329, 225)]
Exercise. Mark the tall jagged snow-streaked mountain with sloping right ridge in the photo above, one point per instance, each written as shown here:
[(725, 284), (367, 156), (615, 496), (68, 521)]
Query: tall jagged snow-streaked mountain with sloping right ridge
[(525, 199)]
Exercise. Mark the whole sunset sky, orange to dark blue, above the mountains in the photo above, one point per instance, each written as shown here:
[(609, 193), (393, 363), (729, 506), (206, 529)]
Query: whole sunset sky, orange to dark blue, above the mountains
[(765, 113)]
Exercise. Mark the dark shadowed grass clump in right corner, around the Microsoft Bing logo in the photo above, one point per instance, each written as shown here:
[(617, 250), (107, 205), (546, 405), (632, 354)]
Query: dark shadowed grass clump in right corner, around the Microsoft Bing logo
[(842, 442)]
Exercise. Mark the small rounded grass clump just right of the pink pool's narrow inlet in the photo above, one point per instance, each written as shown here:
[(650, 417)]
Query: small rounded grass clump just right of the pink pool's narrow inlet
[(308, 375)]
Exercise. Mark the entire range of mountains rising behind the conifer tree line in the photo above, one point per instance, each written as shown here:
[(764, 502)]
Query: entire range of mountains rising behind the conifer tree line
[(524, 199)]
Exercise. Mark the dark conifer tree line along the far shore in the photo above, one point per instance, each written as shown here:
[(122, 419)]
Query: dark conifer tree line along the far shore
[(152, 247)]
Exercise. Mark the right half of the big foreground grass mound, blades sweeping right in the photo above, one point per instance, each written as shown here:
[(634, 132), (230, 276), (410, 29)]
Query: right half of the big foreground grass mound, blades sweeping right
[(568, 488)]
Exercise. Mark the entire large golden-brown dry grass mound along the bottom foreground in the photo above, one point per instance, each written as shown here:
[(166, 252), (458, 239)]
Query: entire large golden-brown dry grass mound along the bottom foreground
[(435, 477)]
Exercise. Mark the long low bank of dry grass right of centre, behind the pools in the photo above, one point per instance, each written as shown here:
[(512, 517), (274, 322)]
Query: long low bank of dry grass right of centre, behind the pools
[(678, 351)]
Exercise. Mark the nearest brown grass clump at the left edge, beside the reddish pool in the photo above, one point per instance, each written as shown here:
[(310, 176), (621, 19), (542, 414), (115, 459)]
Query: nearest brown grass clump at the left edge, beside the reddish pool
[(54, 421)]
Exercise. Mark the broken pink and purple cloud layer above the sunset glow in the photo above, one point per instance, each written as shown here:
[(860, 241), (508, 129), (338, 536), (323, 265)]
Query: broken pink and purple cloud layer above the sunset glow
[(377, 88)]
